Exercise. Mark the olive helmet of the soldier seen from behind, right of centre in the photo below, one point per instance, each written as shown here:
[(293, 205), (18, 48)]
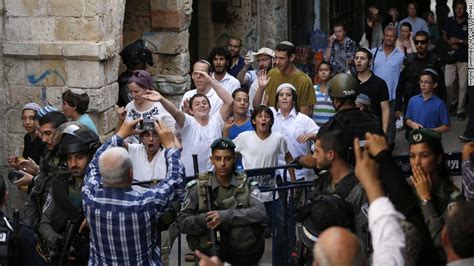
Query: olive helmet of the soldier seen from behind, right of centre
[(343, 85)]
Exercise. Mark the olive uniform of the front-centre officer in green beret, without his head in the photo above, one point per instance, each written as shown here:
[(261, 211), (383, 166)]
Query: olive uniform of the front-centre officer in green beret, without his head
[(241, 211)]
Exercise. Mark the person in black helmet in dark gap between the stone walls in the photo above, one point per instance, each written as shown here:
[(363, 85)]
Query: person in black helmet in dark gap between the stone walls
[(135, 56)]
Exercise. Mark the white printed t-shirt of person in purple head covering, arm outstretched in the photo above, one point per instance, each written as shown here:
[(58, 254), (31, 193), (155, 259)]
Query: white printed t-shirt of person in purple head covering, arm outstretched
[(156, 111)]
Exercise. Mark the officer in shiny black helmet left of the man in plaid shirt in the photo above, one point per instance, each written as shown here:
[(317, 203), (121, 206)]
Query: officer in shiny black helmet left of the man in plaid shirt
[(63, 207)]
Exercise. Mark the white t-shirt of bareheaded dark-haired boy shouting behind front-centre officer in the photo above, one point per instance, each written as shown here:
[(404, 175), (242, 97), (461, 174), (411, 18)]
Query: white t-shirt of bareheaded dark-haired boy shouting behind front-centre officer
[(260, 153)]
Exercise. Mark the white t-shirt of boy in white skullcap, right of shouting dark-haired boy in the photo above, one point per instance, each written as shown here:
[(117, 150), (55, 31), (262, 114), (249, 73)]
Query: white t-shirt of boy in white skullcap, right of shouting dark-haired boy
[(291, 128)]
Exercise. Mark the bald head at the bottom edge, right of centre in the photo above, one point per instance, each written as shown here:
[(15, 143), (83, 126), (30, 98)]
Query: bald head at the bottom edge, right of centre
[(338, 246)]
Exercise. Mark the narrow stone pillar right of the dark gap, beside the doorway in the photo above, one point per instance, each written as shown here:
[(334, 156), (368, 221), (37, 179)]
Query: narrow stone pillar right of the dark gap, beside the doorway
[(164, 25)]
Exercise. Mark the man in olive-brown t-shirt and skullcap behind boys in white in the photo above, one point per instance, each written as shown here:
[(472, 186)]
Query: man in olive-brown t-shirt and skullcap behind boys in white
[(285, 72)]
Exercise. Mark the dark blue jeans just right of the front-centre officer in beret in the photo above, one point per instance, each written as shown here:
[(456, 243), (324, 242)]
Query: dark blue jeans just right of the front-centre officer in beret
[(278, 233)]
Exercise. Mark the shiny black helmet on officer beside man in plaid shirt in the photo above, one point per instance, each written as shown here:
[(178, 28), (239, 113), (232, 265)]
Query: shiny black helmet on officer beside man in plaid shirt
[(77, 138)]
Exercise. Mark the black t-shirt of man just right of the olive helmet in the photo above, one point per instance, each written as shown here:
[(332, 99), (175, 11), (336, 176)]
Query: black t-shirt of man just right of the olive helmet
[(377, 90)]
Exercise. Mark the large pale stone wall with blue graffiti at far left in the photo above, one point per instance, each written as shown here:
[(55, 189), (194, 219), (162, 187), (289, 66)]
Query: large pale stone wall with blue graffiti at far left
[(53, 45)]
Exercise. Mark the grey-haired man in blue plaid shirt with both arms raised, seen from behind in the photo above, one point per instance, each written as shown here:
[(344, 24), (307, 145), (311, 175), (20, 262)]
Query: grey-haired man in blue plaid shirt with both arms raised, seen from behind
[(119, 214)]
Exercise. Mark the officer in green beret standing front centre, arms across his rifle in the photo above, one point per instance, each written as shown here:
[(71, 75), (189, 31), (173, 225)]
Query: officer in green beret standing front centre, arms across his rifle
[(237, 211)]
